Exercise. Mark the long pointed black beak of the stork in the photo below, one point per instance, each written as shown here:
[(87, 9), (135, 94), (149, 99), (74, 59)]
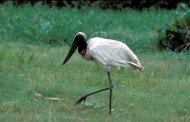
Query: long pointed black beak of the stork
[(71, 51)]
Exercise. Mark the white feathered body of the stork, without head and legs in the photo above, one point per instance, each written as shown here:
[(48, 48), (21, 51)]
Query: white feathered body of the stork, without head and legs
[(111, 53)]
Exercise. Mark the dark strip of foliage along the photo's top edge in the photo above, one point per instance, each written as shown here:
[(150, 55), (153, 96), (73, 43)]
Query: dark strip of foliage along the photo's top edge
[(106, 4)]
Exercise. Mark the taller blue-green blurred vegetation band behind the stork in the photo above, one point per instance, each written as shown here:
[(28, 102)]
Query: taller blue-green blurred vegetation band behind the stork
[(44, 25)]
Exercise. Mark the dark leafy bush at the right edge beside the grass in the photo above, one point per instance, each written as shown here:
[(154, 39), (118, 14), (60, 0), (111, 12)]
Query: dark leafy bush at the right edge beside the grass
[(177, 35)]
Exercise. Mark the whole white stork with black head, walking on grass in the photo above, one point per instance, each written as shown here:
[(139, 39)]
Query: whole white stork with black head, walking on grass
[(109, 53)]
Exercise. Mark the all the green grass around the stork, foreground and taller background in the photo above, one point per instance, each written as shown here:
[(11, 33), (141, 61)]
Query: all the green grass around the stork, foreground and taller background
[(29, 65)]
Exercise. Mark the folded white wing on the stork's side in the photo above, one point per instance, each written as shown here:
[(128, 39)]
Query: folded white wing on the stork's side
[(114, 54)]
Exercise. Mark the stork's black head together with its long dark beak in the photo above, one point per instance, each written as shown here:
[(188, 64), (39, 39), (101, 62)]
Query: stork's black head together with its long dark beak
[(80, 42)]
